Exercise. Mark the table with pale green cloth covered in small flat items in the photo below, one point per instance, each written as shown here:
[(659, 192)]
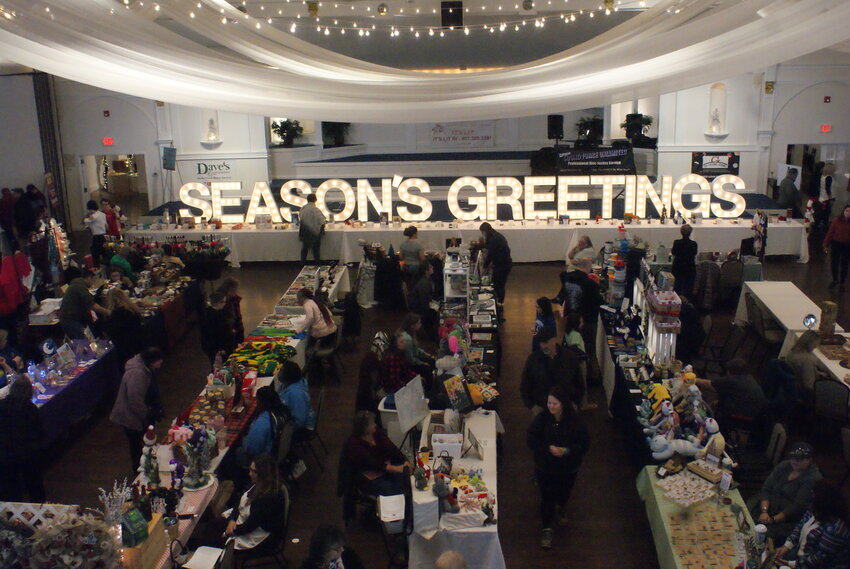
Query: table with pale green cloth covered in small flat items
[(710, 527)]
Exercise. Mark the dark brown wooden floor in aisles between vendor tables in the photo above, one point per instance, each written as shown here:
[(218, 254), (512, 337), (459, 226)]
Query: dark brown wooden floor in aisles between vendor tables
[(608, 527)]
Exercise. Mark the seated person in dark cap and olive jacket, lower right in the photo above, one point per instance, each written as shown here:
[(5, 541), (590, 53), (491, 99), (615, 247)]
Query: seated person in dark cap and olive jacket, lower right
[(786, 493)]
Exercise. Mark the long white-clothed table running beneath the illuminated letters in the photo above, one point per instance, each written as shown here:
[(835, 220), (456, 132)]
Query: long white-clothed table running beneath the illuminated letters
[(530, 241)]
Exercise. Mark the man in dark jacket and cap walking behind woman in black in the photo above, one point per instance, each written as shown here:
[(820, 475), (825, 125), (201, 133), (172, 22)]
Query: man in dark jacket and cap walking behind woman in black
[(552, 365)]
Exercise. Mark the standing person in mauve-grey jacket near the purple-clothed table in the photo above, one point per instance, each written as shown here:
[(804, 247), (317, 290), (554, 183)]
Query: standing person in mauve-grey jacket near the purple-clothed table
[(137, 399)]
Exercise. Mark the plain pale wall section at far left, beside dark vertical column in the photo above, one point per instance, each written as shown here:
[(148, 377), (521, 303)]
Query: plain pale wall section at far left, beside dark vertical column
[(21, 161)]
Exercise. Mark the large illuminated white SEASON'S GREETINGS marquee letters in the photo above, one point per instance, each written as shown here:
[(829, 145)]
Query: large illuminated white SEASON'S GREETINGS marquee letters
[(567, 194)]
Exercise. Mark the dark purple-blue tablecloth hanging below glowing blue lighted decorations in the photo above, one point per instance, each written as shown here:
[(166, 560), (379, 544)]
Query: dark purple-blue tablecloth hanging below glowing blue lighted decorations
[(70, 403)]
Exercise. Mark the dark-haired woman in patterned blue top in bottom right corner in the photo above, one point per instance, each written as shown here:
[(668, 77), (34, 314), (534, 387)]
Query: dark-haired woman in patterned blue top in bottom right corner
[(821, 539)]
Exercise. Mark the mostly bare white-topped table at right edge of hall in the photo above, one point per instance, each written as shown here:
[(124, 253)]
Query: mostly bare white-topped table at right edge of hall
[(784, 301)]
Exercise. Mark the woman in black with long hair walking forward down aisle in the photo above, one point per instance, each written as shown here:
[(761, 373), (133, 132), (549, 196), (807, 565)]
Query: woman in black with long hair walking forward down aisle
[(559, 440)]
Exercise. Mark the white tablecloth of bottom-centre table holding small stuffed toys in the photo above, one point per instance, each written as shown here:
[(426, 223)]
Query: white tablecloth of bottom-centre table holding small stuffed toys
[(480, 546)]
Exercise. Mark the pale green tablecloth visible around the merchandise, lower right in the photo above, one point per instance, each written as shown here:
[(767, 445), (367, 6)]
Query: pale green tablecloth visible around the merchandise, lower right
[(659, 510)]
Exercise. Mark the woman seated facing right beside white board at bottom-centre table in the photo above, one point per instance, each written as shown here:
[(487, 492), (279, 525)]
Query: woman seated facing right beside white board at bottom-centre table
[(373, 455)]
